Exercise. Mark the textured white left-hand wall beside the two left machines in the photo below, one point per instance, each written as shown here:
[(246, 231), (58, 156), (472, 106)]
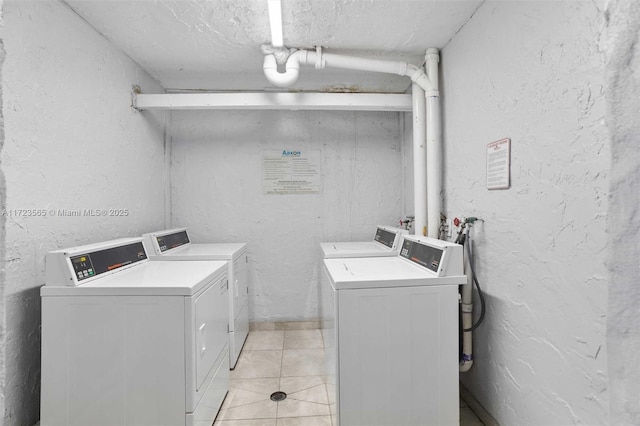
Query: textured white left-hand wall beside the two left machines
[(71, 142)]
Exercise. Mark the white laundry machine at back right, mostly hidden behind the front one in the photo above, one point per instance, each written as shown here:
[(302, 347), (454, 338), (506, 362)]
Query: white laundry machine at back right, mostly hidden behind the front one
[(386, 242)]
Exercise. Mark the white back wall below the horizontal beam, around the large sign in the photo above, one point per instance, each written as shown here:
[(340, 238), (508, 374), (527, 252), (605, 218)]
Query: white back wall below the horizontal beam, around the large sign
[(217, 193)]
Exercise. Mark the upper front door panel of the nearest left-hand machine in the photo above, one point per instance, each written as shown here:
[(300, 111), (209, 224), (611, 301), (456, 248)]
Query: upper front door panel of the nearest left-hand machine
[(212, 316)]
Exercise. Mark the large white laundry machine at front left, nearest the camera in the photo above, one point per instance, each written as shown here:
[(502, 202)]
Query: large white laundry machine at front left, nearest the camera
[(126, 341)]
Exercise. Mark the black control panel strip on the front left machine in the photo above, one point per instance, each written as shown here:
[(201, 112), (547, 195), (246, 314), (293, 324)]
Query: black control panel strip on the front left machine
[(88, 265)]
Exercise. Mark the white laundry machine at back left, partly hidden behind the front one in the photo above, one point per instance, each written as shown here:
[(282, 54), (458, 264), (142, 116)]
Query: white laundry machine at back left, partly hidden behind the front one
[(174, 244)]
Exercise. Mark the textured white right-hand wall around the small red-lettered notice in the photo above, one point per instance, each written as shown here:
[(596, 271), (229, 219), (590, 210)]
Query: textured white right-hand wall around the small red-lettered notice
[(533, 71)]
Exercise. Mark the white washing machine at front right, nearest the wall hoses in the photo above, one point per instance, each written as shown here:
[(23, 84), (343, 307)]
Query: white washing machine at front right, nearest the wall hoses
[(395, 330)]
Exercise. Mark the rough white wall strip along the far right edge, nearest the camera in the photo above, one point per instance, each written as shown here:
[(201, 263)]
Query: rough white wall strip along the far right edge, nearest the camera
[(623, 106)]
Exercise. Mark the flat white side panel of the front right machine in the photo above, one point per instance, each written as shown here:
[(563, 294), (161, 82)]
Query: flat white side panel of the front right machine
[(398, 357)]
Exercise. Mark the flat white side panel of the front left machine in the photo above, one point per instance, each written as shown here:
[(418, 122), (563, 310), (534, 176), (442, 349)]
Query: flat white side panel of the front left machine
[(101, 357)]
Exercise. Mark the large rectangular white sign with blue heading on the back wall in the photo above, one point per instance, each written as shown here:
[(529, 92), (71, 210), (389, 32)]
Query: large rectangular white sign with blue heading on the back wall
[(291, 171)]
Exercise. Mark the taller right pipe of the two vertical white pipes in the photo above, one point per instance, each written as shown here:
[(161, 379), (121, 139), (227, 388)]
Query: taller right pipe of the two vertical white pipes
[(434, 146)]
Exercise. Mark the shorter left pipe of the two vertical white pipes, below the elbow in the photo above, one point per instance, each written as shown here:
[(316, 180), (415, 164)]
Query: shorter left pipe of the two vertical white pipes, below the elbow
[(419, 160)]
